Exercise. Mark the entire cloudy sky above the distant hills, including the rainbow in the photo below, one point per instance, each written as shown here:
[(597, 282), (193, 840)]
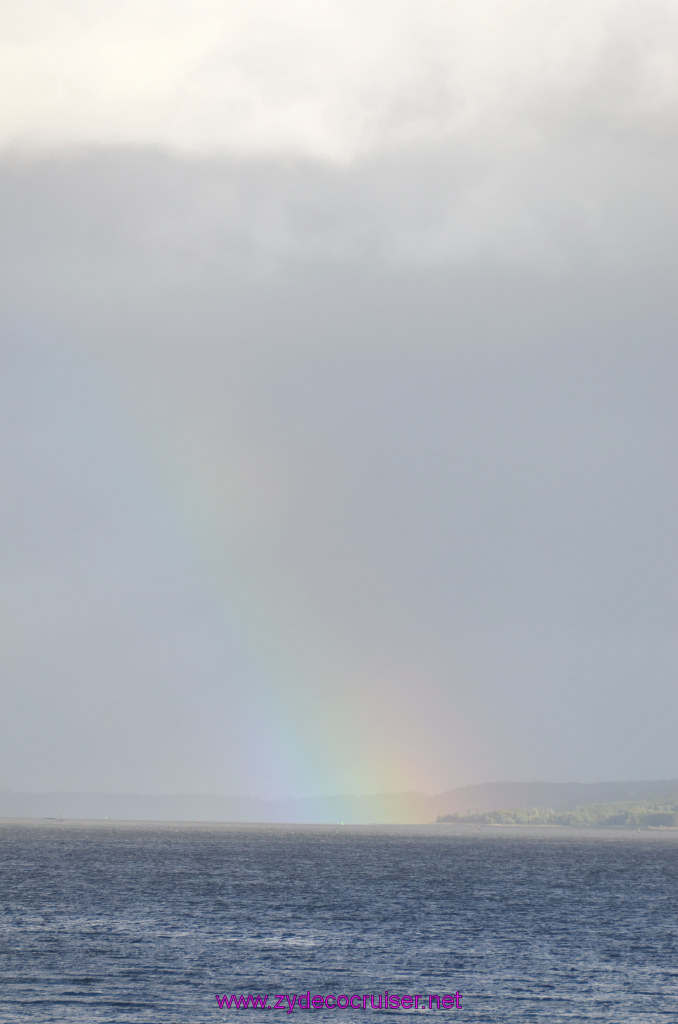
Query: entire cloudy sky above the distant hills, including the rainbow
[(337, 395)]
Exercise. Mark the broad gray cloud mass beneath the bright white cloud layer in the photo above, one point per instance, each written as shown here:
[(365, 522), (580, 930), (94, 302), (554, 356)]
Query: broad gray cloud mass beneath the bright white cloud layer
[(420, 409)]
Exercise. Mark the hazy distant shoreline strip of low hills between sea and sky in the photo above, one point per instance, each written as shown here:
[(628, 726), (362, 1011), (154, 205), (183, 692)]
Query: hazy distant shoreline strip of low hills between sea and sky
[(622, 803)]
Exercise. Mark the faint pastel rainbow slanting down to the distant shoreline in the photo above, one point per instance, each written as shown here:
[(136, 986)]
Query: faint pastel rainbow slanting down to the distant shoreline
[(321, 718)]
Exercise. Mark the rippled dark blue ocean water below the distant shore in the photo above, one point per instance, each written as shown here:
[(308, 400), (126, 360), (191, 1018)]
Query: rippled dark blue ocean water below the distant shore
[(148, 923)]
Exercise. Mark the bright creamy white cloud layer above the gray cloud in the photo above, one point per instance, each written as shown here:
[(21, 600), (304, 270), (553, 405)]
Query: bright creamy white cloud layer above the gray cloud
[(327, 79)]
